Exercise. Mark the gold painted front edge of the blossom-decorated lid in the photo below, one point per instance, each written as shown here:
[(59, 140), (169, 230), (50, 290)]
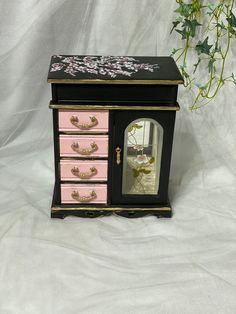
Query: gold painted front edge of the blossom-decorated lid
[(120, 82)]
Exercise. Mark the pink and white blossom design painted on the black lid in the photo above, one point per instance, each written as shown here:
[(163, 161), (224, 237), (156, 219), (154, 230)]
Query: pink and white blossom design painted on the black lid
[(104, 65)]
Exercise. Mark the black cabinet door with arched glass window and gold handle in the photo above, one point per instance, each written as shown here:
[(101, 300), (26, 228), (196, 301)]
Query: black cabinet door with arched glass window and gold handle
[(142, 145)]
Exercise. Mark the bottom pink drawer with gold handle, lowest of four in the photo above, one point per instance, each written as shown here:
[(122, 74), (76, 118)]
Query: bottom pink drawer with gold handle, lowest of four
[(84, 193)]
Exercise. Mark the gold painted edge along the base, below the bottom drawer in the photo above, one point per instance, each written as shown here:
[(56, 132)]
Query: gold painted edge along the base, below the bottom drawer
[(54, 209)]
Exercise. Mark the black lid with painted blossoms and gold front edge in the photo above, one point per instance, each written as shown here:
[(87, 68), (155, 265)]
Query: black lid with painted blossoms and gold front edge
[(75, 69)]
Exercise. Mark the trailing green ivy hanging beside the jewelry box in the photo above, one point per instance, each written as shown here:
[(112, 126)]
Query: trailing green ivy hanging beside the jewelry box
[(215, 22)]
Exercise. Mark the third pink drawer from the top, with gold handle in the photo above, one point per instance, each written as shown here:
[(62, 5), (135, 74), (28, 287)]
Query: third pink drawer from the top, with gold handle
[(79, 170)]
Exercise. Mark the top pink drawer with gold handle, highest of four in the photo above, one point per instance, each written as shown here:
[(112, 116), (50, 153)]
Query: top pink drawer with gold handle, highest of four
[(83, 120)]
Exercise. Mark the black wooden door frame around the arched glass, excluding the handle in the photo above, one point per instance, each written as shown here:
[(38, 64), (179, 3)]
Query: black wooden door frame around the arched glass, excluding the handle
[(121, 121)]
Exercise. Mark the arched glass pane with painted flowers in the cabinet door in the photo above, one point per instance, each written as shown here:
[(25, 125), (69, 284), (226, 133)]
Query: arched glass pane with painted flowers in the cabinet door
[(142, 157)]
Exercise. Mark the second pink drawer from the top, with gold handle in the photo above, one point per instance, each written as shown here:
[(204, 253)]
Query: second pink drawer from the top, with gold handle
[(84, 145)]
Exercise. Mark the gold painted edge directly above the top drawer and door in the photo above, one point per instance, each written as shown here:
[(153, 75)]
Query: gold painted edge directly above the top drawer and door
[(114, 107)]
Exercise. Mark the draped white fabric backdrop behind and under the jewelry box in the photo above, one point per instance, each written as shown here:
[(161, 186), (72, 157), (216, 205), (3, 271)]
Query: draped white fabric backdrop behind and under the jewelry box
[(109, 265)]
